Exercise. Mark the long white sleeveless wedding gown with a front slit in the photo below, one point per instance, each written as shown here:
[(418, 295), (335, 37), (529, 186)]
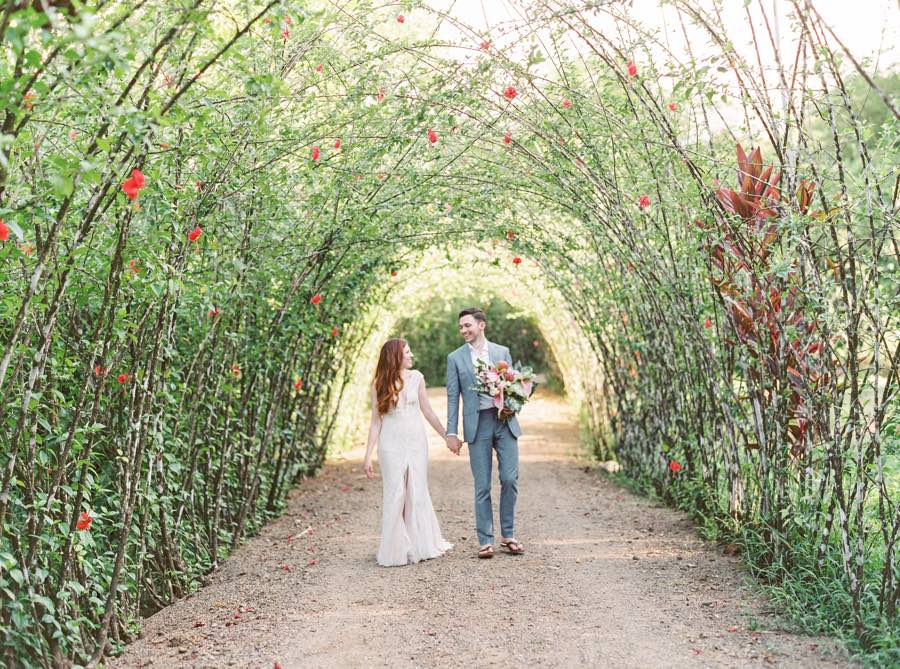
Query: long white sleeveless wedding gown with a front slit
[(409, 526)]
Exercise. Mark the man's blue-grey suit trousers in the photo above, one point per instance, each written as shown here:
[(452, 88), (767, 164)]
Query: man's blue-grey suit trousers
[(494, 434)]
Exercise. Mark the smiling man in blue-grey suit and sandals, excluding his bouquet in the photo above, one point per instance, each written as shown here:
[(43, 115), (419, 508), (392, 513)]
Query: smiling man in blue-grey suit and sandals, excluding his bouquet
[(485, 432)]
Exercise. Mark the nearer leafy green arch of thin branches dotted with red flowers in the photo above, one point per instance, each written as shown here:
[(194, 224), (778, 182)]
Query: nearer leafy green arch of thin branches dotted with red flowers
[(152, 345)]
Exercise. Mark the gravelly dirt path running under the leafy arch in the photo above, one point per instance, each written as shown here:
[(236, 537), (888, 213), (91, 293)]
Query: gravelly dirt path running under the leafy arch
[(608, 580)]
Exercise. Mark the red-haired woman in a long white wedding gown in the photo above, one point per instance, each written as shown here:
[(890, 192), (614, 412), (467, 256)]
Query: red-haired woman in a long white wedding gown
[(409, 531)]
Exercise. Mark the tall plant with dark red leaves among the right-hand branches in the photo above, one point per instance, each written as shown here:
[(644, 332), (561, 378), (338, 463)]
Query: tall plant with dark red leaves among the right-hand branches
[(766, 299)]
